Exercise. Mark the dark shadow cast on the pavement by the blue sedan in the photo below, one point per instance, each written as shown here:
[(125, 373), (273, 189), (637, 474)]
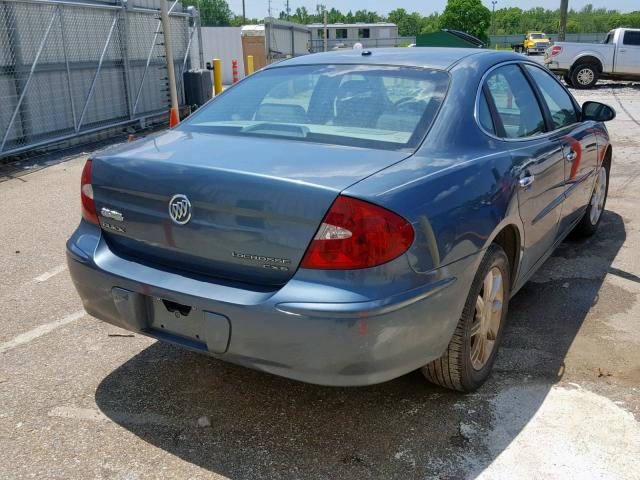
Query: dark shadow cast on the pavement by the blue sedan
[(241, 423)]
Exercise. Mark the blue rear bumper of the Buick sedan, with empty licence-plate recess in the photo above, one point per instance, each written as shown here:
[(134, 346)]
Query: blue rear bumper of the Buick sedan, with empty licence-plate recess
[(309, 330)]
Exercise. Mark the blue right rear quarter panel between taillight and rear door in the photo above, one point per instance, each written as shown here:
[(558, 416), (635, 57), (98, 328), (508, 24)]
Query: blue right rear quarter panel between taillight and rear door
[(458, 190)]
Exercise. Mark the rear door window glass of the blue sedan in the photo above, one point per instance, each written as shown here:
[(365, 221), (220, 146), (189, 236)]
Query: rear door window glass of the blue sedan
[(515, 102)]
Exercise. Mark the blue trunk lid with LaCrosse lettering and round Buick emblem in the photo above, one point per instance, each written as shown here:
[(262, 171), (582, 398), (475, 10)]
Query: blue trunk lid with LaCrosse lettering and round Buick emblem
[(255, 203)]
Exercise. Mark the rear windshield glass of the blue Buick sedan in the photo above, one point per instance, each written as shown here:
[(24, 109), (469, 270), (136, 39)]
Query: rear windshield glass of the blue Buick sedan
[(353, 105)]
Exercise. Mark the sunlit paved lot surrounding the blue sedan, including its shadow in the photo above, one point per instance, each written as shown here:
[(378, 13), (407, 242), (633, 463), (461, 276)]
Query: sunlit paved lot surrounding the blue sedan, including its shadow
[(80, 399)]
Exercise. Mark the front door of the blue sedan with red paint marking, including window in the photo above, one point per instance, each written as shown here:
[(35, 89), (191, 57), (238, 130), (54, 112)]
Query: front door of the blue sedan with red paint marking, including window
[(578, 141)]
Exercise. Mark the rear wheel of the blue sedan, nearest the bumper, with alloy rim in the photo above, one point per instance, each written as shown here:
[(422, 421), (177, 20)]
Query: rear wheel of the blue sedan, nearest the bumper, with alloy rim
[(467, 362)]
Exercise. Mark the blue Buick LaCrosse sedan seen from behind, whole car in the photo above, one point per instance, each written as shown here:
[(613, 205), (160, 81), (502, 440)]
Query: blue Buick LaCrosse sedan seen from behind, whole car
[(345, 218)]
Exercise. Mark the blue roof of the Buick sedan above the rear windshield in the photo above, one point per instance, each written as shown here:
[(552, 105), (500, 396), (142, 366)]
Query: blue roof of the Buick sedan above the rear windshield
[(440, 58)]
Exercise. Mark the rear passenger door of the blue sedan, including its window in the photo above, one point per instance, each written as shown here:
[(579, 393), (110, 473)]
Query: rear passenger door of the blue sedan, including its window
[(537, 158)]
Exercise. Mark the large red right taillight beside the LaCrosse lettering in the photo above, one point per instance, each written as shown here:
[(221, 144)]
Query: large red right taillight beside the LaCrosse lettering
[(356, 234)]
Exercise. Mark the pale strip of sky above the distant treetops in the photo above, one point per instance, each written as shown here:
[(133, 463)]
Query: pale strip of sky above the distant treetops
[(258, 8)]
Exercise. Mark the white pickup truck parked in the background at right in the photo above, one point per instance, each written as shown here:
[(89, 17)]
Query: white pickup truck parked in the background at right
[(582, 64)]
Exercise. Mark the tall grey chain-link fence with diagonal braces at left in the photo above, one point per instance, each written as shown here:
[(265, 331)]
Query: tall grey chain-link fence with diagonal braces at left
[(70, 68)]
